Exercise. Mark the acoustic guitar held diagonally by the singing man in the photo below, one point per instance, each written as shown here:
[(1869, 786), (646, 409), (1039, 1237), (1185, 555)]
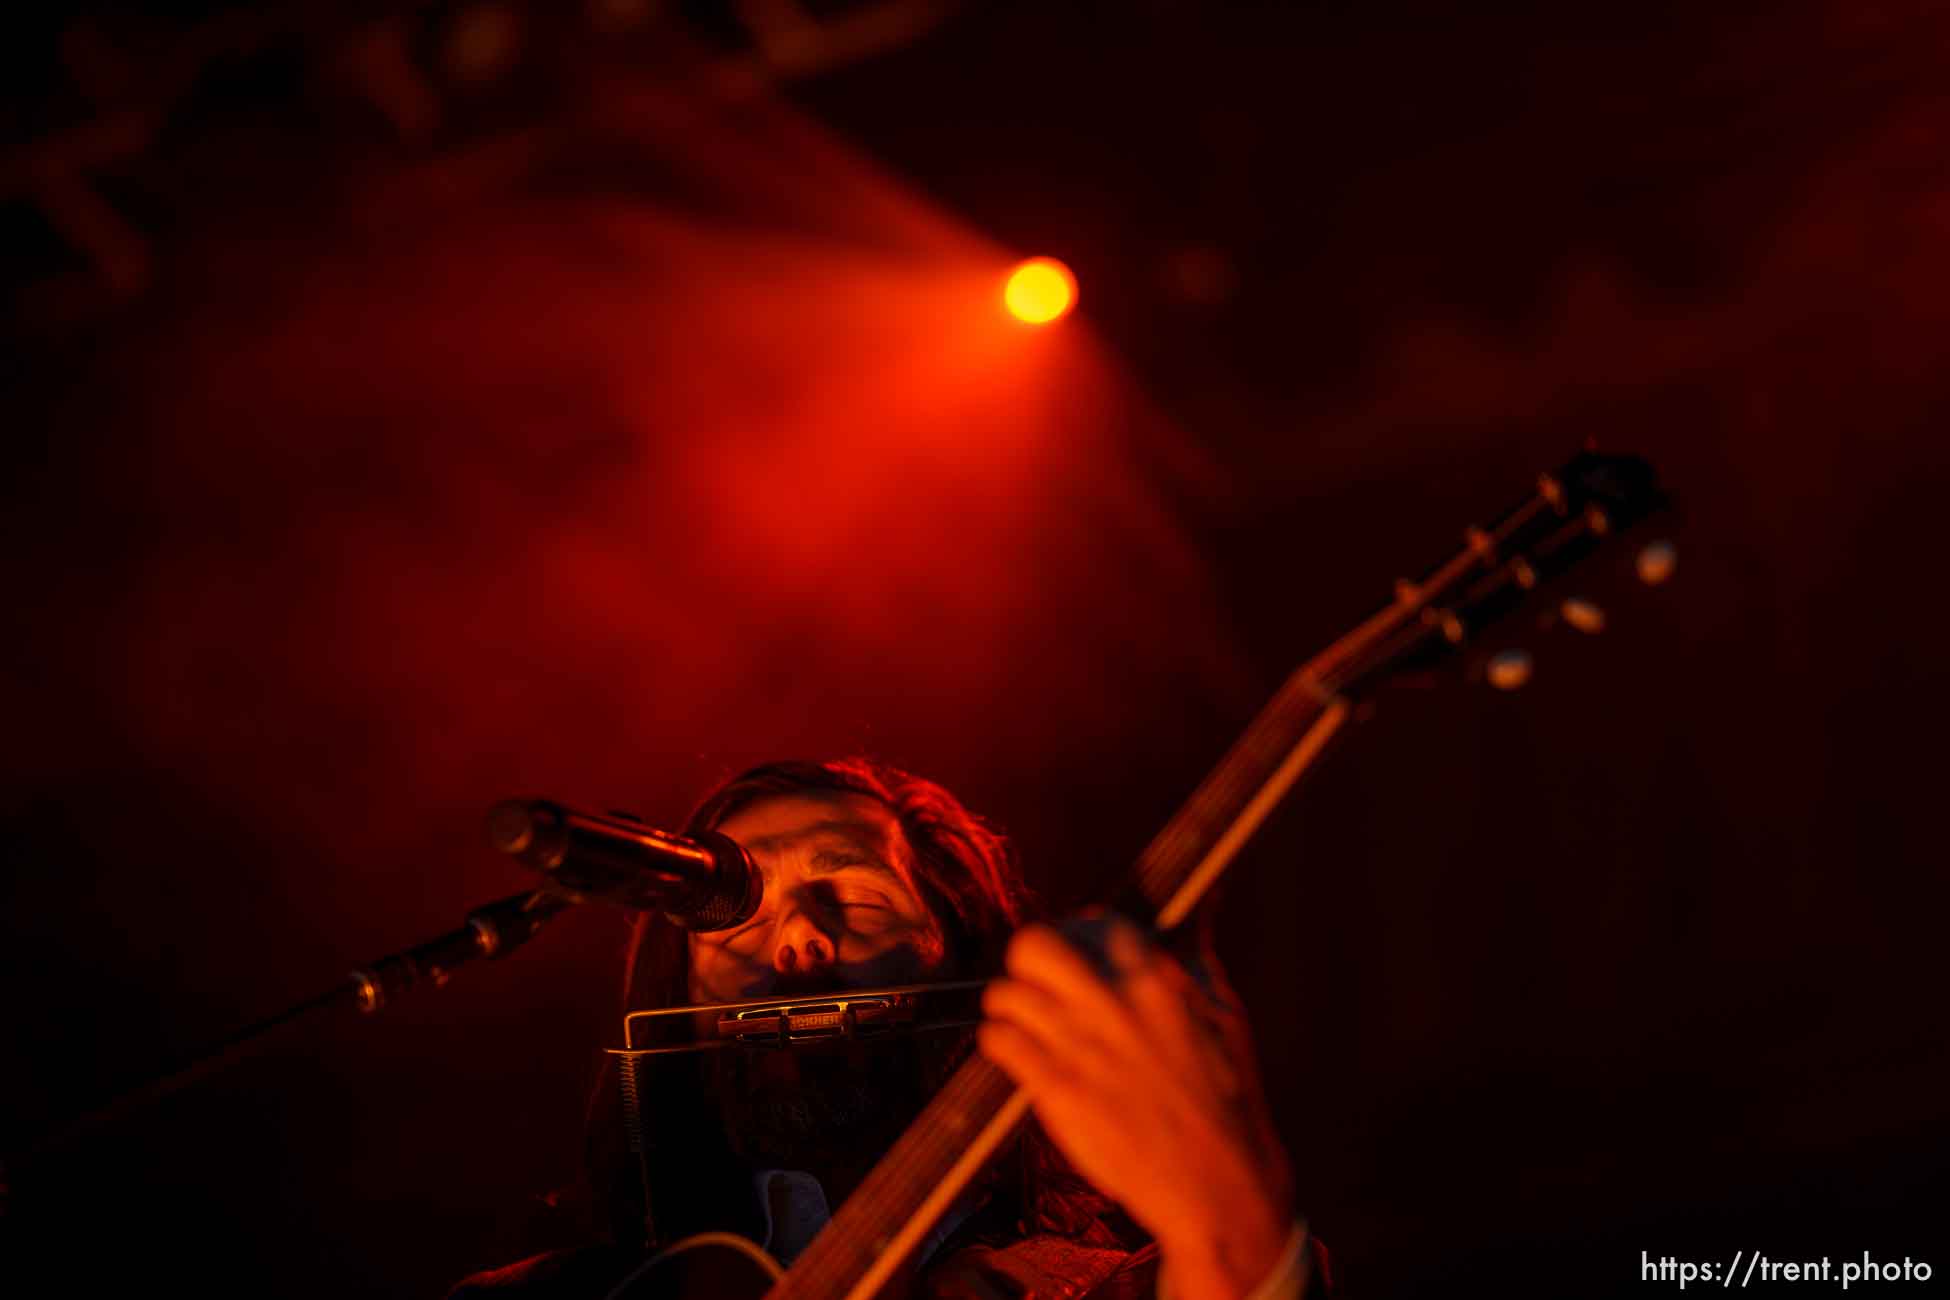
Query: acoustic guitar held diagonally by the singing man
[(1497, 572)]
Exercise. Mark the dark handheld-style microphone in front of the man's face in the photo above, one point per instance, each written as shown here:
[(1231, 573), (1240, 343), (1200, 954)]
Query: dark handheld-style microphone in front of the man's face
[(701, 884)]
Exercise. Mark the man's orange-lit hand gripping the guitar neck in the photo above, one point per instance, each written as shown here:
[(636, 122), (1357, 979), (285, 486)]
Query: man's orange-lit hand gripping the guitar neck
[(1148, 1100)]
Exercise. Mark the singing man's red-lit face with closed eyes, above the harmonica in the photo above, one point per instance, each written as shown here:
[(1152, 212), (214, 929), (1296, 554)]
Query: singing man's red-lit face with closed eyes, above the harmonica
[(839, 905)]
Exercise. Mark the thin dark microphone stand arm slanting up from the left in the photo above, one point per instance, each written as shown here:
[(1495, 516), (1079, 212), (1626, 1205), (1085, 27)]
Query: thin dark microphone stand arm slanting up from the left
[(492, 931)]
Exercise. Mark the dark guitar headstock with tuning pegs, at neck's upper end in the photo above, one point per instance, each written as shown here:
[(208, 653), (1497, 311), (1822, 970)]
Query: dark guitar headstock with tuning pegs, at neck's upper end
[(1502, 566)]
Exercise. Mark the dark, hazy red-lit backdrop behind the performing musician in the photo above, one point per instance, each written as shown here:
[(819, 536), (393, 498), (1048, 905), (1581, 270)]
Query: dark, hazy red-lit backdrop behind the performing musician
[(418, 406)]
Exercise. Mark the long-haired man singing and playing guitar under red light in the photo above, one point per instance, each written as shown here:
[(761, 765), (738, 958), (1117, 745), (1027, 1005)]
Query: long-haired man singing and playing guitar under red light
[(1151, 1168)]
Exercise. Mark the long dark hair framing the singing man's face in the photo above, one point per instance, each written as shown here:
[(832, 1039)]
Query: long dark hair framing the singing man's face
[(970, 880)]
